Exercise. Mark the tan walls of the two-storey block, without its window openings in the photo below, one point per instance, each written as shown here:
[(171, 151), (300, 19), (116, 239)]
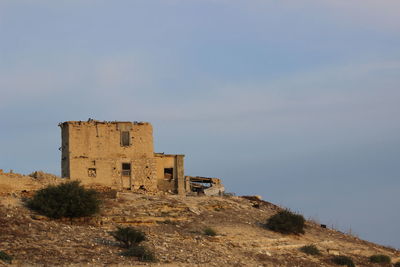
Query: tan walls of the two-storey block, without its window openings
[(93, 145)]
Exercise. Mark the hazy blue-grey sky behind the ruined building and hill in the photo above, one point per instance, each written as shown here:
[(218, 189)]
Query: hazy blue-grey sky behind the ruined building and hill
[(296, 101)]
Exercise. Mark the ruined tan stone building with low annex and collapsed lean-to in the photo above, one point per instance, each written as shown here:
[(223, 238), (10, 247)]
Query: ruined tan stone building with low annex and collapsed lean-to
[(121, 155)]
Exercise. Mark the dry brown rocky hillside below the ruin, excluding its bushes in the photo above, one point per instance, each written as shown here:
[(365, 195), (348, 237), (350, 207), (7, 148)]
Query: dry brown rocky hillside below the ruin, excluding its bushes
[(175, 229)]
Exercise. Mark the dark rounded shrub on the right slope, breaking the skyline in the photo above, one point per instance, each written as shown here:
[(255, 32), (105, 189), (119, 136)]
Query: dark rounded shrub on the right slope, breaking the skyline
[(286, 222)]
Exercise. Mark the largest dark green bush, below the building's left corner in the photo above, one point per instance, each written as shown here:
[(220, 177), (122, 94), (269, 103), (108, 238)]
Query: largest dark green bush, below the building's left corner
[(68, 199)]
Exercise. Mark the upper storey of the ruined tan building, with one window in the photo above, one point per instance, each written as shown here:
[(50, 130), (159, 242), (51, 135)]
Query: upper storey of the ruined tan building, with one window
[(96, 139)]
